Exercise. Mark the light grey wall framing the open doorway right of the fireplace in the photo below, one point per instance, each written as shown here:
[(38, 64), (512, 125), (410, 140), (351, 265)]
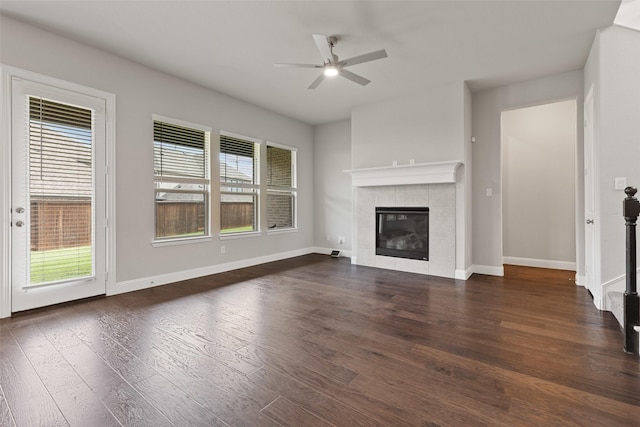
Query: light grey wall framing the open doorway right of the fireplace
[(486, 158)]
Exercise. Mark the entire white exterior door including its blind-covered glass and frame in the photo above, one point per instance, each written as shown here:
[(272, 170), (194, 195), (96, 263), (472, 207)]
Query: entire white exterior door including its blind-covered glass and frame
[(58, 183)]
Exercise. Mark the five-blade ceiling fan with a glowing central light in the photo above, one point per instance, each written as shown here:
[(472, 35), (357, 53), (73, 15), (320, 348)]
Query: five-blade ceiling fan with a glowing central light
[(332, 66)]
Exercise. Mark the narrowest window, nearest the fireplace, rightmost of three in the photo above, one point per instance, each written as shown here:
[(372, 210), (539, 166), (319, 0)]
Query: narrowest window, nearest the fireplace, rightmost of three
[(281, 187)]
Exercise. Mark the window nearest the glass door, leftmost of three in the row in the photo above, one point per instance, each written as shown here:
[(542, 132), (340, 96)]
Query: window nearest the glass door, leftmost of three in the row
[(181, 169)]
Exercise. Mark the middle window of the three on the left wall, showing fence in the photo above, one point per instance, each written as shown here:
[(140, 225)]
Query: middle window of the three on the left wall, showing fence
[(239, 186)]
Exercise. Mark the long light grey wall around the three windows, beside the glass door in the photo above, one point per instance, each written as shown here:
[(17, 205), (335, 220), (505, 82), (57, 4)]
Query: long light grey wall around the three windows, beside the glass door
[(141, 92)]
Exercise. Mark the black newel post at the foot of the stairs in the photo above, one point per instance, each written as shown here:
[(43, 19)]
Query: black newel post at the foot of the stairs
[(630, 211)]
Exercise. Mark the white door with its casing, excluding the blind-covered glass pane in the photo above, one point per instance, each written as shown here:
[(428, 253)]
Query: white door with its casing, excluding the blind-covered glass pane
[(16, 293)]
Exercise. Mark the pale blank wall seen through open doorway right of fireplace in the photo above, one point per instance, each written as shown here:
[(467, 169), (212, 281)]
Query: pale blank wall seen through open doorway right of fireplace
[(539, 177)]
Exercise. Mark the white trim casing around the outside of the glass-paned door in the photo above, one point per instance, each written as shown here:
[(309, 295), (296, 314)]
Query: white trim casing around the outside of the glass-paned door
[(7, 73)]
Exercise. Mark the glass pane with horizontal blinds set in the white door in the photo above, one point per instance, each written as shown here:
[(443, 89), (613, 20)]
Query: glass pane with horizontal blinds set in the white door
[(60, 191)]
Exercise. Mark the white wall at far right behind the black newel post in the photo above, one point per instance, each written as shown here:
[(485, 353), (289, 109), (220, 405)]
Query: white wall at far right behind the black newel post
[(613, 69)]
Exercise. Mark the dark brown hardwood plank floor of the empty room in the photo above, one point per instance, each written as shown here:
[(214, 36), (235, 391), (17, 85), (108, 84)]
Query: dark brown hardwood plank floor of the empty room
[(315, 341)]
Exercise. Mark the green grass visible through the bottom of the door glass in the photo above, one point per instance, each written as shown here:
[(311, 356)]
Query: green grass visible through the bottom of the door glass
[(60, 264)]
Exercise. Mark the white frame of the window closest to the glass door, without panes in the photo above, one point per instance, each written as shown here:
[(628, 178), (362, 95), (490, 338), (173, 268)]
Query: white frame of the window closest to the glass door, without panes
[(158, 180)]
